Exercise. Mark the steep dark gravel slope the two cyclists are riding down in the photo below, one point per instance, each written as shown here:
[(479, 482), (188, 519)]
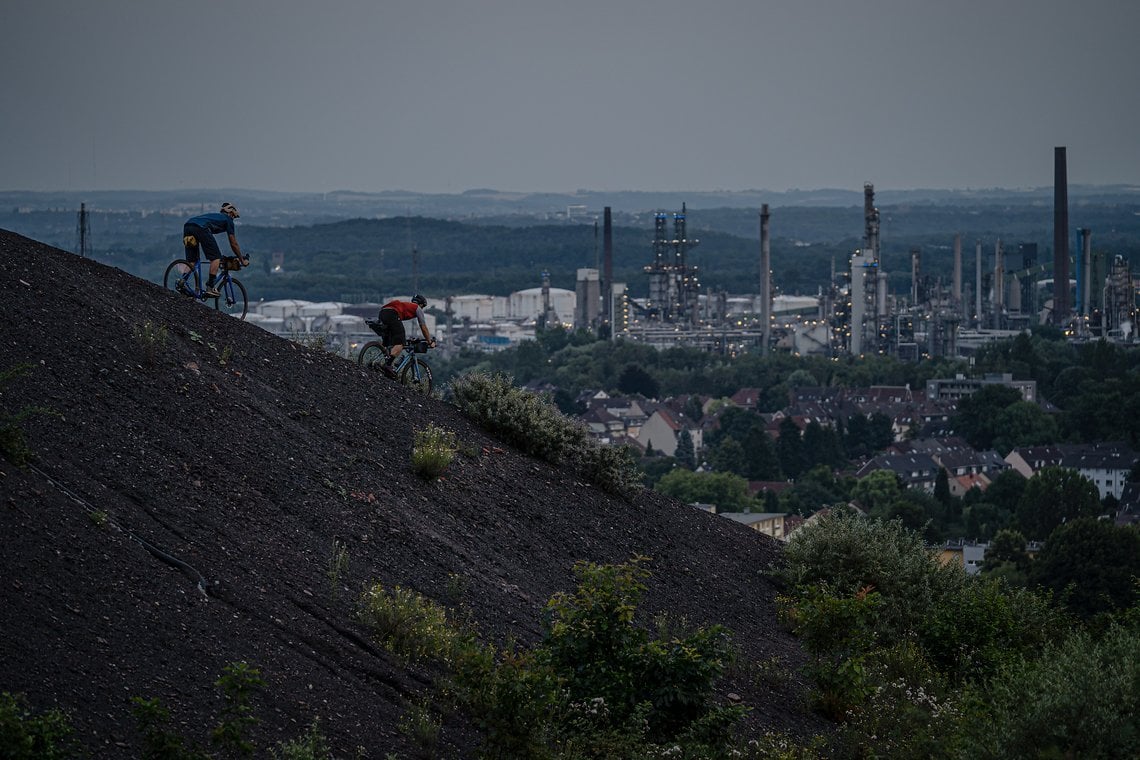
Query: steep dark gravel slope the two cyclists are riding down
[(196, 479)]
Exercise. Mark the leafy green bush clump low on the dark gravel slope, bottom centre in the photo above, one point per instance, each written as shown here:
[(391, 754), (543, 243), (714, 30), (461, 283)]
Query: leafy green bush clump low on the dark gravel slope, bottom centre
[(597, 688)]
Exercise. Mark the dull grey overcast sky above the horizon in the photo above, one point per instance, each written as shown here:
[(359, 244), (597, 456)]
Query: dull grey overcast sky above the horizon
[(444, 96)]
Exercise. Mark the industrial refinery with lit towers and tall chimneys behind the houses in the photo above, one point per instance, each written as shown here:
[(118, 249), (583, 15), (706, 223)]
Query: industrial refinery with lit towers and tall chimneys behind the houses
[(1011, 291)]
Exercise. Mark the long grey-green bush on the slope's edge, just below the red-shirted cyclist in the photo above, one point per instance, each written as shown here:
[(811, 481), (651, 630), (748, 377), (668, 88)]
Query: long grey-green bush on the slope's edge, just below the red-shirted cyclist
[(536, 428)]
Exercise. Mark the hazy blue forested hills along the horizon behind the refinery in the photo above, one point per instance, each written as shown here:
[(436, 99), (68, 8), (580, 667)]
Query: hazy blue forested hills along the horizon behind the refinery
[(341, 246)]
